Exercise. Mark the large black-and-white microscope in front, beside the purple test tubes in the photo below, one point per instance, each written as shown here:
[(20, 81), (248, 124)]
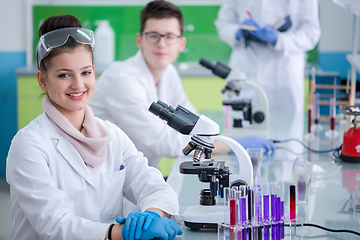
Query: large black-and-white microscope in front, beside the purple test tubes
[(204, 132)]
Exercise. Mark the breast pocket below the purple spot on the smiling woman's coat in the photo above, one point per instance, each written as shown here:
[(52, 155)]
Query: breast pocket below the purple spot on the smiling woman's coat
[(113, 192)]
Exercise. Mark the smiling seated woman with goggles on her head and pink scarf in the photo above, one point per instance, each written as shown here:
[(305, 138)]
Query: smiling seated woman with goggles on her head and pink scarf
[(68, 170)]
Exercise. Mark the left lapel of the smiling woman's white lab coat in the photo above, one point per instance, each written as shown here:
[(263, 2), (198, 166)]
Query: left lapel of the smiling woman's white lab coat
[(66, 149)]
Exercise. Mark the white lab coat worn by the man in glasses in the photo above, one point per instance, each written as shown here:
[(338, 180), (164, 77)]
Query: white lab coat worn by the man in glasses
[(123, 95)]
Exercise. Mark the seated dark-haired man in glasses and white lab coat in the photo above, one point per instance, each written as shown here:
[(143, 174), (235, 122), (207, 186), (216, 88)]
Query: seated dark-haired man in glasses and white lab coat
[(125, 91)]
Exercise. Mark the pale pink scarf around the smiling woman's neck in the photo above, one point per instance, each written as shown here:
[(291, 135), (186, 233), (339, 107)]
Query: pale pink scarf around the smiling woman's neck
[(91, 142)]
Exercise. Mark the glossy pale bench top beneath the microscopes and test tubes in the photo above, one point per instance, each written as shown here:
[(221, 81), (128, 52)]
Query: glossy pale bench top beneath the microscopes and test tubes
[(329, 202)]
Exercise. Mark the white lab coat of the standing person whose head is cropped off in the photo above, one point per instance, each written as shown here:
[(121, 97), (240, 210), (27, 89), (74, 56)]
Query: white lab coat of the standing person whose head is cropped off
[(278, 69)]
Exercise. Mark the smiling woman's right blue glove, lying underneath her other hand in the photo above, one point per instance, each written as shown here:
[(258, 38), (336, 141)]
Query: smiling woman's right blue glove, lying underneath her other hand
[(162, 228)]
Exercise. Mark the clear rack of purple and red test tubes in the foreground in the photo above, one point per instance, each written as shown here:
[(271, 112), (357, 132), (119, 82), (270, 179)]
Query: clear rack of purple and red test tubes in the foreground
[(247, 213)]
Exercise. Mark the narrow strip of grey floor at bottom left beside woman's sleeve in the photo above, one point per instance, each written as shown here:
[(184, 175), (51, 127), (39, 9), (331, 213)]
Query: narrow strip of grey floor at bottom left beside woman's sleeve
[(5, 214)]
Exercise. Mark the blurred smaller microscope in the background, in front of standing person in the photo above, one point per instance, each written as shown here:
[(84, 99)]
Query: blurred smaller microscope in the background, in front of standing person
[(244, 118)]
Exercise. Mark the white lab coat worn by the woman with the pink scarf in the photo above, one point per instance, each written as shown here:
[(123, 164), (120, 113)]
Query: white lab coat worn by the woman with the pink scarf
[(56, 196)]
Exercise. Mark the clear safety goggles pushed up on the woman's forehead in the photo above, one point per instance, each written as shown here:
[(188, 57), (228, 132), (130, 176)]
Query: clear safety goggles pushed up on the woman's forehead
[(59, 37)]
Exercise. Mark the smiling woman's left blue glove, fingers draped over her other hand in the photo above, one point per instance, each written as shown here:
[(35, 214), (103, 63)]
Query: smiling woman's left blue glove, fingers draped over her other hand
[(136, 223)]
